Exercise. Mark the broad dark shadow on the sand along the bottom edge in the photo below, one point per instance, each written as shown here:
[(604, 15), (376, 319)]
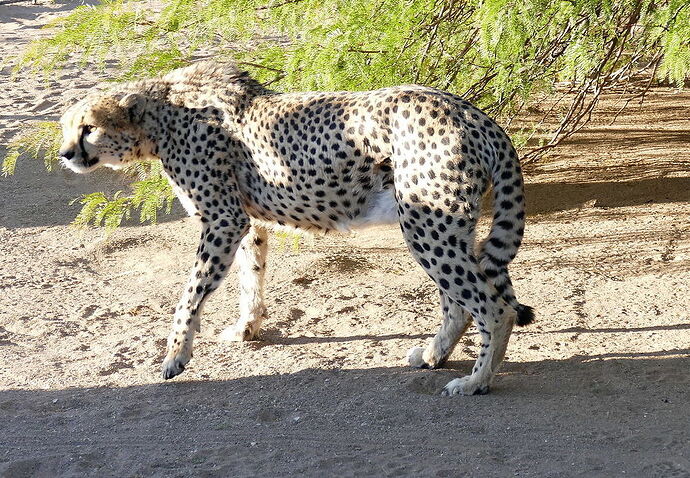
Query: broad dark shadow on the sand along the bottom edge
[(586, 416)]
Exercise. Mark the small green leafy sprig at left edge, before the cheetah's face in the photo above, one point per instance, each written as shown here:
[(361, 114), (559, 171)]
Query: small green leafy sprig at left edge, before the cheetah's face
[(38, 140)]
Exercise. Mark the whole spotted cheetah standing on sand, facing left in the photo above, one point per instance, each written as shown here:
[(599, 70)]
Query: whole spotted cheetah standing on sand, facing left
[(243, 158)]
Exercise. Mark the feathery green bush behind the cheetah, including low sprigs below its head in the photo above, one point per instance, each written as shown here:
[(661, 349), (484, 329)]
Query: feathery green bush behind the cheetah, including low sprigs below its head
[(499, 54)]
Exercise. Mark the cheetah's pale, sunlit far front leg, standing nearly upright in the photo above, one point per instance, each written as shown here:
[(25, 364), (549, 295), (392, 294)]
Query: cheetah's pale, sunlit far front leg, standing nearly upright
[(251, 260)]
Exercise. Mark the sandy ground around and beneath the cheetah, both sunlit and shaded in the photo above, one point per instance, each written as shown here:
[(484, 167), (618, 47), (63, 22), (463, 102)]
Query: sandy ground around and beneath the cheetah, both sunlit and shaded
[(597, 387)]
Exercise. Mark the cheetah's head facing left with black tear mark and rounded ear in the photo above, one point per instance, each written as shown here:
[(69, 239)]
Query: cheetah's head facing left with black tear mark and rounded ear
[(104, 129)]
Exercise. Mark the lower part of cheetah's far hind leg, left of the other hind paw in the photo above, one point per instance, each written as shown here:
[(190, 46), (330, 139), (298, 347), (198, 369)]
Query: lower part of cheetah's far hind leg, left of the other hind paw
[(454, 324)]
